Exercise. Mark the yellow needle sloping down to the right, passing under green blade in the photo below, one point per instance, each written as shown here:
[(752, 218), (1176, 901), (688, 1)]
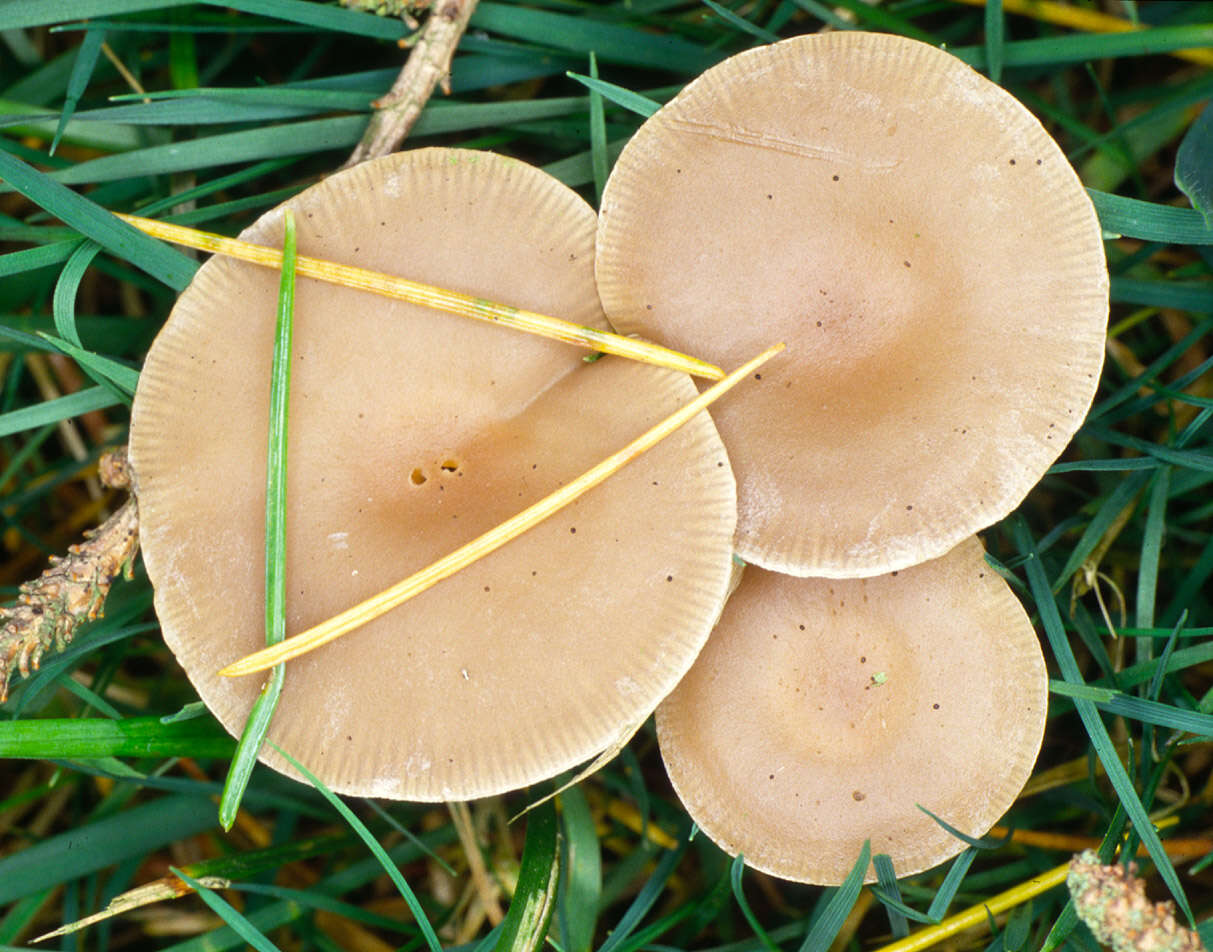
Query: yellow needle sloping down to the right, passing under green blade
[(440, 299)]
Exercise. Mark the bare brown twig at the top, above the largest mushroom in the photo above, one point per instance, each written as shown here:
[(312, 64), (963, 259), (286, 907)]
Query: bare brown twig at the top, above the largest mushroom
[(429, 66)]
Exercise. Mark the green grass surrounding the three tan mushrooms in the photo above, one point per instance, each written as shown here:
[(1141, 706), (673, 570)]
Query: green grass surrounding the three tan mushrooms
[(102, 790)]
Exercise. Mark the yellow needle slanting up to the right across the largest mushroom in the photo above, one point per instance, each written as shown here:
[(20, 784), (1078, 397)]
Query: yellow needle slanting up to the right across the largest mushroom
[(491, 541)]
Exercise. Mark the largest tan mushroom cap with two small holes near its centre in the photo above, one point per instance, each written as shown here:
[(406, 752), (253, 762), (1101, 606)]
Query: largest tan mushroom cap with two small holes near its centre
[(412, 432)]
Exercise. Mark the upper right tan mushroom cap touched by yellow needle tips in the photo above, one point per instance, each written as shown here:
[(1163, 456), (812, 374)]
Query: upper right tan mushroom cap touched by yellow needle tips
[(926, 252)]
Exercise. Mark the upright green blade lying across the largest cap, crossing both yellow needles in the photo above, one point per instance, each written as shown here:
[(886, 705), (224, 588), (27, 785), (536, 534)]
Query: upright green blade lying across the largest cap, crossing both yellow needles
[(254, 736)]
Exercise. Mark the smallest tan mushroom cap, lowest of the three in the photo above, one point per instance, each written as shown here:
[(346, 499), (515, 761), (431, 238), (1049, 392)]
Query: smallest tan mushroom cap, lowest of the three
[(824, 712)]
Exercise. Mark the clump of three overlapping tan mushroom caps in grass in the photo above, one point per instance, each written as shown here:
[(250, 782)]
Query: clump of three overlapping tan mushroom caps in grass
[(931, 389)]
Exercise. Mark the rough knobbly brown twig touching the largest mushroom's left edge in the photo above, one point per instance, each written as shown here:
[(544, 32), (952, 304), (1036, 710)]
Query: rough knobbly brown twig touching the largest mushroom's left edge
[(73, 590)]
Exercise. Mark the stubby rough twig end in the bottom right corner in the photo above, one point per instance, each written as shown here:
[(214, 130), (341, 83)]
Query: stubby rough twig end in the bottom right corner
[(1112, 900)]
